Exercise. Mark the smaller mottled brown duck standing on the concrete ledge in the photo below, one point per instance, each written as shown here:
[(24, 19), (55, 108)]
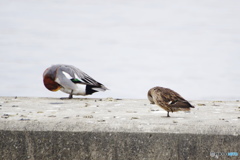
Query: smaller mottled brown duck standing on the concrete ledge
[(168, 100)]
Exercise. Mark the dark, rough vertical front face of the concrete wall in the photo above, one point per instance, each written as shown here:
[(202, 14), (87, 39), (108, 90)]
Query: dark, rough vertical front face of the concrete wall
[(22, 145)]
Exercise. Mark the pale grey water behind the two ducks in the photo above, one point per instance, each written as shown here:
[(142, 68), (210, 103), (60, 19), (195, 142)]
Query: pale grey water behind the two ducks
[(190, 46)]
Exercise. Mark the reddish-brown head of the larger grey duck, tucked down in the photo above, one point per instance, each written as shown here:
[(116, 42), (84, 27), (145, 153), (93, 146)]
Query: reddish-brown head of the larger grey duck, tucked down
[(49, 77)]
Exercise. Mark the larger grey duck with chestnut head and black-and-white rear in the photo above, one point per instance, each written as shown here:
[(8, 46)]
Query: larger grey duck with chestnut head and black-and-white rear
[(71, 80)]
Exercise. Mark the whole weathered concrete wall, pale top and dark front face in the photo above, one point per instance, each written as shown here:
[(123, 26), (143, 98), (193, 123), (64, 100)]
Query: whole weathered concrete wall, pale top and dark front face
[(50, 128)]
